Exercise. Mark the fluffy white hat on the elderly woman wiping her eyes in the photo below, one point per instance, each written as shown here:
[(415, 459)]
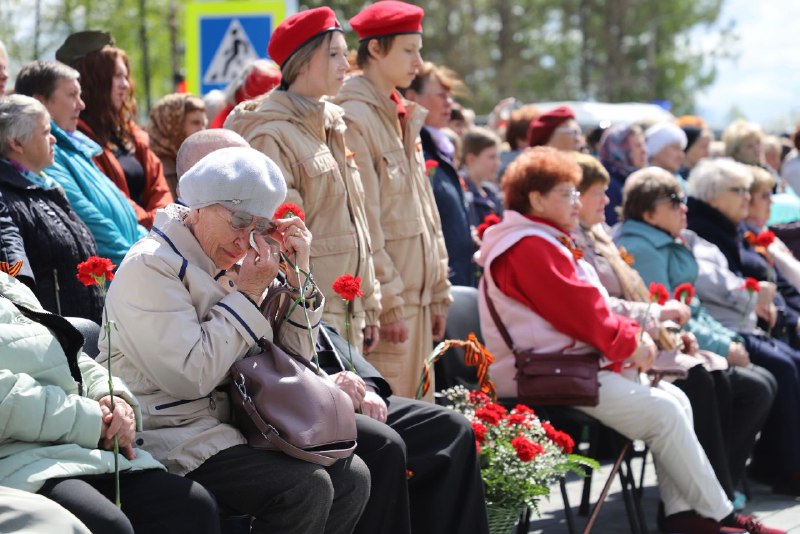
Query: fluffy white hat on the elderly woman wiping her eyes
[(239, 178)]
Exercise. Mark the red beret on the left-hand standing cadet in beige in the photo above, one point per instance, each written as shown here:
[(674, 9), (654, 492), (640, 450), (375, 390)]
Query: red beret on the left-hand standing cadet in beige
[(299, 29)]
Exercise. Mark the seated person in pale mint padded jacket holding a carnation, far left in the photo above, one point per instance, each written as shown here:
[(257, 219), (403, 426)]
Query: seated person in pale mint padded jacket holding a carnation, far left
[(57, 429)]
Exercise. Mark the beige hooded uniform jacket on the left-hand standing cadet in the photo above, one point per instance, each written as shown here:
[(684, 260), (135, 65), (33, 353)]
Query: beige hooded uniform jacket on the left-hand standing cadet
[(307, 142)]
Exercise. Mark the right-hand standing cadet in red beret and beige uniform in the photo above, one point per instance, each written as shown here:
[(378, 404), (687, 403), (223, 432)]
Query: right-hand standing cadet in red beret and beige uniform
[(407, 244)]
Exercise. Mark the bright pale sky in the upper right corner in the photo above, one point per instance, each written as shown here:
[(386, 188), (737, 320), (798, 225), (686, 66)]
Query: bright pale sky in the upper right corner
[(764, 81)]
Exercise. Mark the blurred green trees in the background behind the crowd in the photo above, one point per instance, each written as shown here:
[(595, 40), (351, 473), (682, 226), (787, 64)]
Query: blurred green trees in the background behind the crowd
[(535, 50)]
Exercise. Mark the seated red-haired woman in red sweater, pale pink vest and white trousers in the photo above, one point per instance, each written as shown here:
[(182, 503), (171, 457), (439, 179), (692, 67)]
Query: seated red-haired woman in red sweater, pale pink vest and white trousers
[(551, 301)]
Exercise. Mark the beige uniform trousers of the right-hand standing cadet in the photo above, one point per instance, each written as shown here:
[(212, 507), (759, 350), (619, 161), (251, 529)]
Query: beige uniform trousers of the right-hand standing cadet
[(401, 363)]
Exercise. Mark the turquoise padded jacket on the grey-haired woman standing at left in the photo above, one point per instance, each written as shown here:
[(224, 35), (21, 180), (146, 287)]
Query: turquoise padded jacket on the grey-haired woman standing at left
[(98, 202)]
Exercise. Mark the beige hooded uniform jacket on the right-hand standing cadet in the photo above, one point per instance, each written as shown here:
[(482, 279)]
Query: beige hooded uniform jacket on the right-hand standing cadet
[(408, 248)]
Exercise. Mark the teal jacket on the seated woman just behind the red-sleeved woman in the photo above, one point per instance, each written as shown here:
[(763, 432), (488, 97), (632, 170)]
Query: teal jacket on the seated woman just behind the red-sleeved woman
[(658, 257)]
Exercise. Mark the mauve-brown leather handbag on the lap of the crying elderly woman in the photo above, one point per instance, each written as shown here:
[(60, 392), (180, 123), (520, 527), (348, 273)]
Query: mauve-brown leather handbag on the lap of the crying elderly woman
[(281, 403)]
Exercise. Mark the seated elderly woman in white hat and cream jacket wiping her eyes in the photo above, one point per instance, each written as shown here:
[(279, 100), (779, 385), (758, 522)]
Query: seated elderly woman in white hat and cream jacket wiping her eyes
[(181, 324)]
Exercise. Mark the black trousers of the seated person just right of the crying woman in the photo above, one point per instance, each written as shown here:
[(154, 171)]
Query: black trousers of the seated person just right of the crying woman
[(444, 492)]
